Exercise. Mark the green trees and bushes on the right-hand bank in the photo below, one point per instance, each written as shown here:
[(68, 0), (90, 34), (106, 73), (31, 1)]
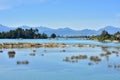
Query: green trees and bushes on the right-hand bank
[(104, 36)]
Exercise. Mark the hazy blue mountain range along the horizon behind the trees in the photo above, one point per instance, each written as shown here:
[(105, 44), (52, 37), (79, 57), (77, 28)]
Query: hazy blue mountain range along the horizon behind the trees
[(64, 31)]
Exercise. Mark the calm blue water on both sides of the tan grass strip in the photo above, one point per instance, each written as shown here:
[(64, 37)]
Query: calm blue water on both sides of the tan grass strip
[(49, 64)]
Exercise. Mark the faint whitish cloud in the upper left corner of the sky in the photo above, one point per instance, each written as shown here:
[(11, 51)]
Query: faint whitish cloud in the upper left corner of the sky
[(7, 4)]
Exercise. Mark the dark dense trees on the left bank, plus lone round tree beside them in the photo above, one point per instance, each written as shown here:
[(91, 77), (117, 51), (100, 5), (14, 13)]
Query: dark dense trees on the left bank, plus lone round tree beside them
[(25, 34)]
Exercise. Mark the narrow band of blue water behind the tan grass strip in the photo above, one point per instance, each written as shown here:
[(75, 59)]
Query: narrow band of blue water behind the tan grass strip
[(61, 40)]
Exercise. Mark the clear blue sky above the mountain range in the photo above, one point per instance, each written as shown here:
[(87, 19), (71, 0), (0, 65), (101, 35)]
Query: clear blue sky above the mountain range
[(75, 14)]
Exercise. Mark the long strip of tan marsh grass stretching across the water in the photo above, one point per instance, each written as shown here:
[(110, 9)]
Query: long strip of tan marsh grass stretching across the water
[(47, 45)]
